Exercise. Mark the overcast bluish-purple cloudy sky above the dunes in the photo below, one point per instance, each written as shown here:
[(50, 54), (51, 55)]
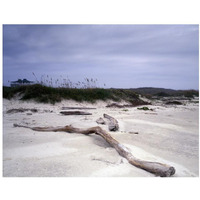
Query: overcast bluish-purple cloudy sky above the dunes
[(118, 56)]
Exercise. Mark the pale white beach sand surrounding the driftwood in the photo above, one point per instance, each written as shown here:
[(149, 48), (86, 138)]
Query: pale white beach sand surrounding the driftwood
[(168, 134)]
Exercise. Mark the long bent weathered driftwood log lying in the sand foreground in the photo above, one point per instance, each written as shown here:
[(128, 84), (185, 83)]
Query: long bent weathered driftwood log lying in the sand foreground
[(156, 168)]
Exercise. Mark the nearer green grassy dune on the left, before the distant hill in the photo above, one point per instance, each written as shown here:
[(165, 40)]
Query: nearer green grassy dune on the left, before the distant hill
[(52, 95)]
